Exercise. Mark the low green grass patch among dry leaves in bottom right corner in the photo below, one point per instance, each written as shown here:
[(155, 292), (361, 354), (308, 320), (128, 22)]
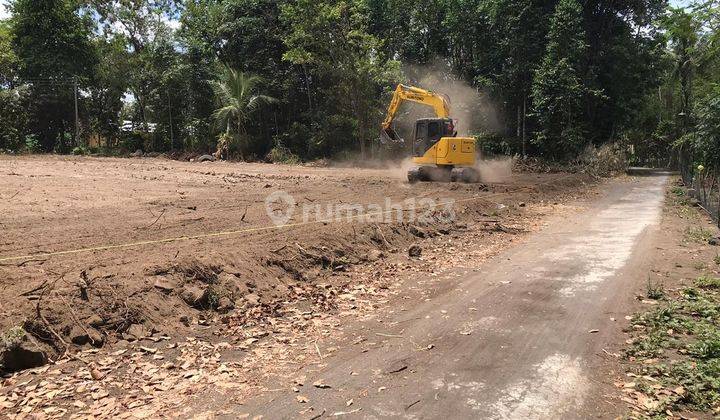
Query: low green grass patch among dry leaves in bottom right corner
[(675, 352)]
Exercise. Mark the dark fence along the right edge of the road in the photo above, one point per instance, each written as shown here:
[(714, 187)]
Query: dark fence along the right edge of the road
[(703, 183)]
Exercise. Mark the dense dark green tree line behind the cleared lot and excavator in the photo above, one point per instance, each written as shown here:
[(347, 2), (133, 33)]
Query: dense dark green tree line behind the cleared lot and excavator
[(557, 76)]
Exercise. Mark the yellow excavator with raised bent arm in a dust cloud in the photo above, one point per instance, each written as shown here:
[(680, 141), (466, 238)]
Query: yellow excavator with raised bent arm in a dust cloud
[(440, 155)]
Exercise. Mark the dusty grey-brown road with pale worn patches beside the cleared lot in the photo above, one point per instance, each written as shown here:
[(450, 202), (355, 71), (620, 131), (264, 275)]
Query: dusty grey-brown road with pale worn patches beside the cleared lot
[(520, 338)]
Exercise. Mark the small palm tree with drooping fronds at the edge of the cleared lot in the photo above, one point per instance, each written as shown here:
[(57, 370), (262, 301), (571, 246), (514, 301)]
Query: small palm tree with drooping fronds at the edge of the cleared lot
[(238, 97)]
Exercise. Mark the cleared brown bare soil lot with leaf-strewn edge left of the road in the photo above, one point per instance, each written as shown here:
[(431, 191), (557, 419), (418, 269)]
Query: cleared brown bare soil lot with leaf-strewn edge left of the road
[(143, 329)]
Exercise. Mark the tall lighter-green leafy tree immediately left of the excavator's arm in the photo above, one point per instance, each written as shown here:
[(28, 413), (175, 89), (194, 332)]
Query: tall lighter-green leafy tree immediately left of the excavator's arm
[(330, 40)]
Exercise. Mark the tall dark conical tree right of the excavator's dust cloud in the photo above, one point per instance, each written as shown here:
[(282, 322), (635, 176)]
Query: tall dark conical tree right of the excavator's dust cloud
[(559, 91)]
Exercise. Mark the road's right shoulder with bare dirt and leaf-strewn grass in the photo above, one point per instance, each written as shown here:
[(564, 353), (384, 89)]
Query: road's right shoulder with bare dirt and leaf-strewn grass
[(666, 362)]
